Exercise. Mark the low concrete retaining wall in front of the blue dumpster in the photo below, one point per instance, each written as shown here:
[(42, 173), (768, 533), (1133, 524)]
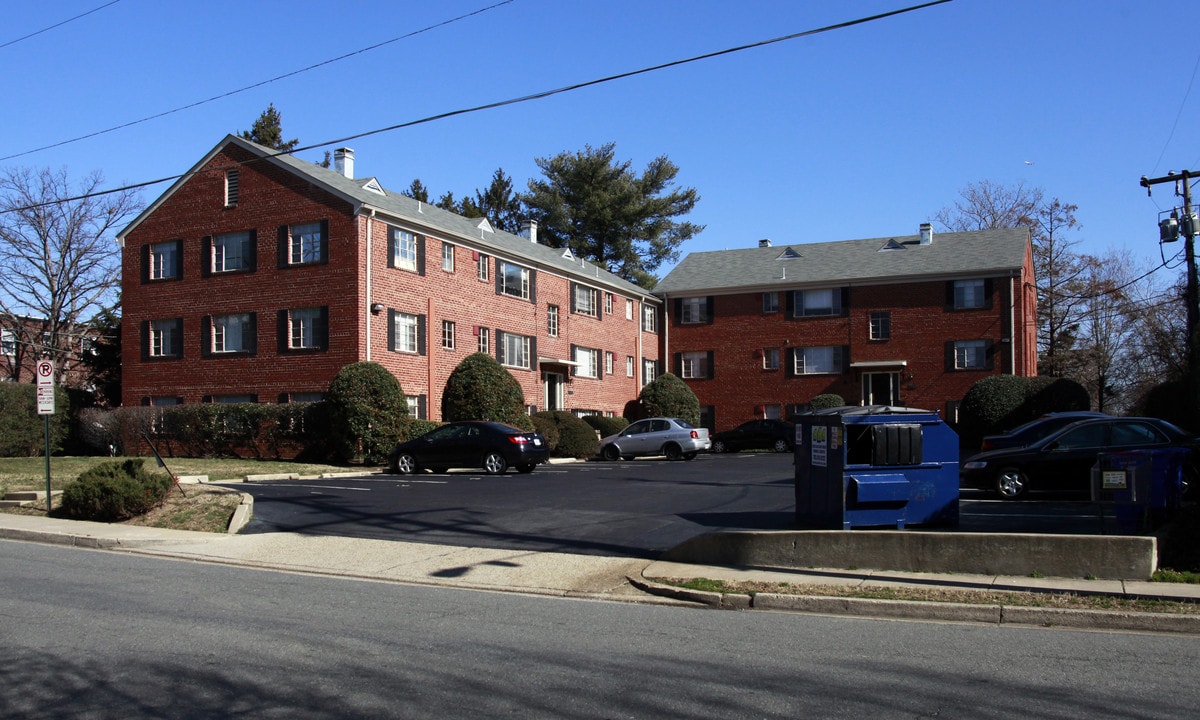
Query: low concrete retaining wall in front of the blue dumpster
[(1107, 557)]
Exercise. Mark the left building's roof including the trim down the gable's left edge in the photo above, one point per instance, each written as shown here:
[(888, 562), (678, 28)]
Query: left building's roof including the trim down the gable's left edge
[(367, 194)]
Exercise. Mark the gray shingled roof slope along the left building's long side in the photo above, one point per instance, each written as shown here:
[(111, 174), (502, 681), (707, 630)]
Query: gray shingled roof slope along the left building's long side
[(455, 227)]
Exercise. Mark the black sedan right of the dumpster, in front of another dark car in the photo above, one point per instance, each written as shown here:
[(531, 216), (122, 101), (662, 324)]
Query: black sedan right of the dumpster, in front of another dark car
[(1063, 461)]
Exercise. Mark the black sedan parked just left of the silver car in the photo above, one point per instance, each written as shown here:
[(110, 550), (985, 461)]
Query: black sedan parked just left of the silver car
[(494, 447)]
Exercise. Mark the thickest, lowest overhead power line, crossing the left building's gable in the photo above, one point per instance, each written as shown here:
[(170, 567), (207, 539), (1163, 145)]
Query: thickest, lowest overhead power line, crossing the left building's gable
[(513, 101)]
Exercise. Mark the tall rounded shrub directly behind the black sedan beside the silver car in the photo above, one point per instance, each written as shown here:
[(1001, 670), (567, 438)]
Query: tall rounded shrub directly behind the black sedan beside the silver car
[(481, 389)]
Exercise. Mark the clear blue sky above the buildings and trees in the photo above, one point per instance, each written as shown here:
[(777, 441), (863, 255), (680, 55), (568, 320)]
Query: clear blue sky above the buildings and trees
[(853, 134)]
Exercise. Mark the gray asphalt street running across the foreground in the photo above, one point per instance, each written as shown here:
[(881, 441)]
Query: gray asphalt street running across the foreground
[(111, 635)]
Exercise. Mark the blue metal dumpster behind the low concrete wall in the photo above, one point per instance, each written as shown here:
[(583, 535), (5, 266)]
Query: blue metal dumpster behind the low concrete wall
[(877, 466)]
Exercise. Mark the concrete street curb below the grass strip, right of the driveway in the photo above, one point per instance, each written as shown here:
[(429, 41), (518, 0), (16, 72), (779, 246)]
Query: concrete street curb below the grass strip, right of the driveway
[(943, 613)]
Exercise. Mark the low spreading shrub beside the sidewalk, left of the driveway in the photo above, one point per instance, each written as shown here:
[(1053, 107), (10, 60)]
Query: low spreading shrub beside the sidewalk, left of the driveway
[(116, 491)]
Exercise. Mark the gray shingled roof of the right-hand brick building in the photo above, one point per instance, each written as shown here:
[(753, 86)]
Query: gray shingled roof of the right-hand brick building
[(851, 262)]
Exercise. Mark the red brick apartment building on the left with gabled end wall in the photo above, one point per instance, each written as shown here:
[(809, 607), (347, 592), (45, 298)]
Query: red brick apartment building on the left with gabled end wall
[(257, 277)]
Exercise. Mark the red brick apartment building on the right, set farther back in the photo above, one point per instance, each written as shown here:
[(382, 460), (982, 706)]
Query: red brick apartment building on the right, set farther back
[(911, 321)]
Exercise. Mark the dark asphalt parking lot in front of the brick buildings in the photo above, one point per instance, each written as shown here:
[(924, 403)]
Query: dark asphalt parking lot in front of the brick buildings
[(621, 509)]
